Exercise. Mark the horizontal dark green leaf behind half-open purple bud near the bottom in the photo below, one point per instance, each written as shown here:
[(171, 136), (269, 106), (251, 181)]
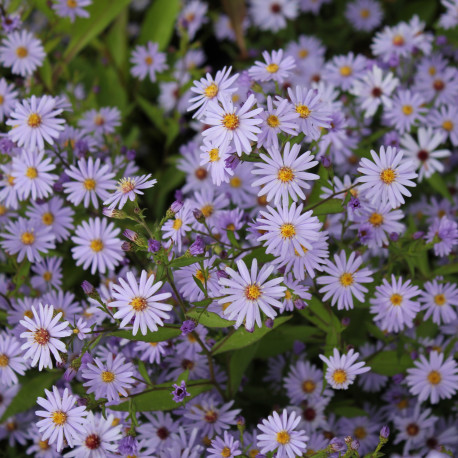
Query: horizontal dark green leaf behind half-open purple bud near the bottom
[(161, 398)]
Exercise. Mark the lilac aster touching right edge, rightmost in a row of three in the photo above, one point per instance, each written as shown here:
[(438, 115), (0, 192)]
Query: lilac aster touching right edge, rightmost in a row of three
[(439, 300)]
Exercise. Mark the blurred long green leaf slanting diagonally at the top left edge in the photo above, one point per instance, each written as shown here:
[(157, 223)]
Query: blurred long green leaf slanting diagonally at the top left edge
[(83, 31)]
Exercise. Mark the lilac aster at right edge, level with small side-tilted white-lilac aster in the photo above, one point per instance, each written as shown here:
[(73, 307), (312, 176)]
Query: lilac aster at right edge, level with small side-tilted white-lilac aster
[(434, 378)]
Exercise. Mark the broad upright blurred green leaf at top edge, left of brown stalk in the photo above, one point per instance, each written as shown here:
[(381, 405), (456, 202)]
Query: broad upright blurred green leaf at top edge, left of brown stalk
[(159, 22)]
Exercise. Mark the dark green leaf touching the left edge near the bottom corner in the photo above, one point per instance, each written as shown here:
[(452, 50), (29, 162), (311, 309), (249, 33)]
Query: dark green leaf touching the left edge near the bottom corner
[(32, 386)]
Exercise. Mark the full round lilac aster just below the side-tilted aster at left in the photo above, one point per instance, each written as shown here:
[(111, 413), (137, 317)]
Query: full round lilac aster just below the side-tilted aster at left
[(97, 245)]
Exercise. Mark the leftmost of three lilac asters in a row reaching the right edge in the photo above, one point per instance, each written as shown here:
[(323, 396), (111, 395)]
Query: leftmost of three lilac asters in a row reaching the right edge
[(344, 280)]
